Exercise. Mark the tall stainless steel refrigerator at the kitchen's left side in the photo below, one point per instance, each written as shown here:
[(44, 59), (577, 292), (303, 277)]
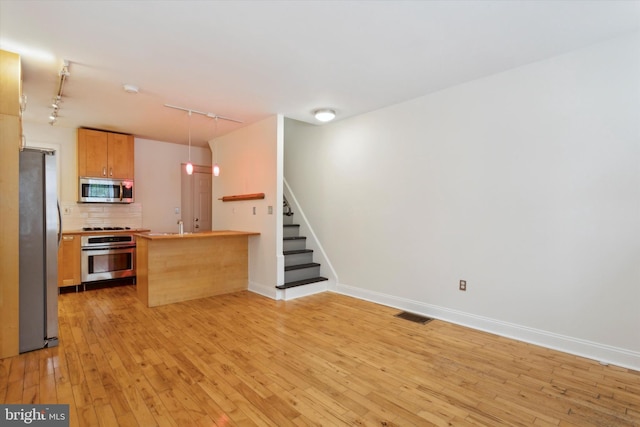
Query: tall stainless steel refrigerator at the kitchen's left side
[(40, 229)]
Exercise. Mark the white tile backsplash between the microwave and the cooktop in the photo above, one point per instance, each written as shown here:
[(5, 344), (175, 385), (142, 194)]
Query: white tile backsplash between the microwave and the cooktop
[(78, 215)]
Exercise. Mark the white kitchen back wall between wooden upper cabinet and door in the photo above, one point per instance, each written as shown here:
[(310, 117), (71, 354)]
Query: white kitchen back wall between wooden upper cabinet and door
[(158, 181)]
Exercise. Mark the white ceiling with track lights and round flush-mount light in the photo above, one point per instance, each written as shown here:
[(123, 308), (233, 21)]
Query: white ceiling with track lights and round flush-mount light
[(251, 59)]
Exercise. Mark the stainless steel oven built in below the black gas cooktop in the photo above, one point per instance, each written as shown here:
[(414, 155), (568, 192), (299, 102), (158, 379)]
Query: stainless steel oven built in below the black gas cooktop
[(106, 257)]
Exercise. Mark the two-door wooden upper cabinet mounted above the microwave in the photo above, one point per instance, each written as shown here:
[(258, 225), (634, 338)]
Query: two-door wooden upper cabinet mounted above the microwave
[(105, 154)]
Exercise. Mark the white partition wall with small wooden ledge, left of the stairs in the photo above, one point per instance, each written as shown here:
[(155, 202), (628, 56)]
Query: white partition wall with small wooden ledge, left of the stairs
[(250, 161)]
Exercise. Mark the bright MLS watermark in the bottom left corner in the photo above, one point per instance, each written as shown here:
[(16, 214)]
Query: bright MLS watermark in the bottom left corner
[(37, 415)]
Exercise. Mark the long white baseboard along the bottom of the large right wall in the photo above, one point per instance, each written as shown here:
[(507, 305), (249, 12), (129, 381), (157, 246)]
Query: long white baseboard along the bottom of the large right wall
[(602, 353)]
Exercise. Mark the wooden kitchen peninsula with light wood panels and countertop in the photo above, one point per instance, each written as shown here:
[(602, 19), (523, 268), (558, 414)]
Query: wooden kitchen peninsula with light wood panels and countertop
[(172, 268)]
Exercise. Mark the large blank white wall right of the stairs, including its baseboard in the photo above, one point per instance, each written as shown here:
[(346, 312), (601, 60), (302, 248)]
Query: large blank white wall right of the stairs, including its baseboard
[(526, 184)]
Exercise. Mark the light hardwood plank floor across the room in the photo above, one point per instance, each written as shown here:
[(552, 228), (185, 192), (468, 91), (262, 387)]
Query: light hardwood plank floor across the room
[(243, 359)]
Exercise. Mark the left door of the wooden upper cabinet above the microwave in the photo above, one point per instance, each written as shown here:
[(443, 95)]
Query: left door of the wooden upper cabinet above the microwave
[(93, 149)]
